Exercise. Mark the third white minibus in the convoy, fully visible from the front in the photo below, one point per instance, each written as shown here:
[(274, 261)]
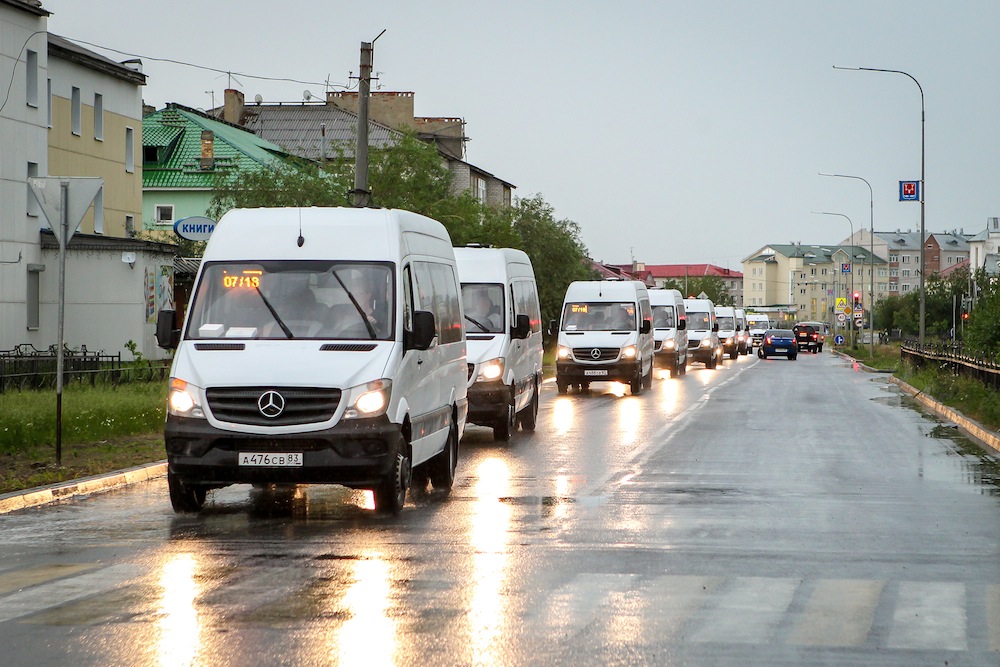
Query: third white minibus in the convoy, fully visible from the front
[(605, 334)]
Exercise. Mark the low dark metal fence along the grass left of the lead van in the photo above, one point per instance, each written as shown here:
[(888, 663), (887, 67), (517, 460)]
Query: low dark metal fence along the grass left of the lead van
[(26, 367)]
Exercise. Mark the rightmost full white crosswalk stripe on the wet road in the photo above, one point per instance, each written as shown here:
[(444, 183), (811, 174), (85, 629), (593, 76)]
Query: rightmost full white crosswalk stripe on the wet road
[(929, 615)]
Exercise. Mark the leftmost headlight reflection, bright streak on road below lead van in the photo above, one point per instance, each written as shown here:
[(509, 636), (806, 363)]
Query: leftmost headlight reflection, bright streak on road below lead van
[(180, 628)]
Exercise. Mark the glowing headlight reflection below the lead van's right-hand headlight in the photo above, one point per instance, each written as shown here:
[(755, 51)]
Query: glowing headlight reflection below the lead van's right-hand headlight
[(366, 638)]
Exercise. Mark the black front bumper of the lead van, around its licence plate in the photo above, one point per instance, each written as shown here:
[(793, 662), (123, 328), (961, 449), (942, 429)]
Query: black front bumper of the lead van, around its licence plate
[(358, 453)]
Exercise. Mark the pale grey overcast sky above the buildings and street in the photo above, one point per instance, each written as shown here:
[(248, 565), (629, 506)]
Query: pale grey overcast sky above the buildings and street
[(671, 131)]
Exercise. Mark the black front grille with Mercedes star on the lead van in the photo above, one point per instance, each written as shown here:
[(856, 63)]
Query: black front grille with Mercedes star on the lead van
[(302, 405)]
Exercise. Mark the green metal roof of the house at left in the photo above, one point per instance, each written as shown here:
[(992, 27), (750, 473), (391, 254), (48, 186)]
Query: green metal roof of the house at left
[(176, 134)]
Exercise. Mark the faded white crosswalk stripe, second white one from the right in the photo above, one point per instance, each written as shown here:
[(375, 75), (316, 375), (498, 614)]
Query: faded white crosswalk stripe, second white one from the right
[(748, 612)]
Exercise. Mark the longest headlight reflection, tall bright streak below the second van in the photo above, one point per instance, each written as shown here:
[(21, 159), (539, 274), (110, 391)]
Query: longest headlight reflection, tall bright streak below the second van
[(491, 518)]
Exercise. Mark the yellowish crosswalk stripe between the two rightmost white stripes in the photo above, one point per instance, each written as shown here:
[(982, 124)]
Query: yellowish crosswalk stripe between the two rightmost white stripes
[(839, 613)]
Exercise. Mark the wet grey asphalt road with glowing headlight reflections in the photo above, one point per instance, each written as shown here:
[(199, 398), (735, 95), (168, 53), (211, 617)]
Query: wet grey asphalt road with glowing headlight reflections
[(765, 513)]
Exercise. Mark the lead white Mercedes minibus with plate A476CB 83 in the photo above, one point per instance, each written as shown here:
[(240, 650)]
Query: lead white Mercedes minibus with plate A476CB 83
[(321, 345)]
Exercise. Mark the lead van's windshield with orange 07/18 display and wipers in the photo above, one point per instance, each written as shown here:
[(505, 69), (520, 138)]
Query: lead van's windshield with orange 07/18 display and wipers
[(294, 299)]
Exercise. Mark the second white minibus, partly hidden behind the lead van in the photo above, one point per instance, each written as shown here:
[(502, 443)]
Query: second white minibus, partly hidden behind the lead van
[(503, 332)]
